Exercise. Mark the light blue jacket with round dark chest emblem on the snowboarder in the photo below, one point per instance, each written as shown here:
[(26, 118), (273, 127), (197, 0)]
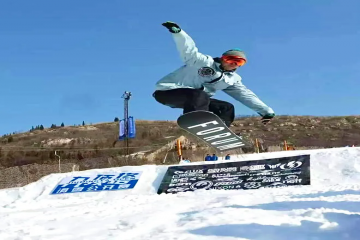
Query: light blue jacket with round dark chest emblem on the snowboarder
[(199, 70)]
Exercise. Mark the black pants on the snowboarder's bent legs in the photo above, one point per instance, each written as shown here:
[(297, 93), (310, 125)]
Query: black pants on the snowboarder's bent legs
[(194, 99)]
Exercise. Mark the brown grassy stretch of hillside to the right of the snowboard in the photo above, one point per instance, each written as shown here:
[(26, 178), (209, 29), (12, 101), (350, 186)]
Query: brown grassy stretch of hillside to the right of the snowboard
[(305, 131)]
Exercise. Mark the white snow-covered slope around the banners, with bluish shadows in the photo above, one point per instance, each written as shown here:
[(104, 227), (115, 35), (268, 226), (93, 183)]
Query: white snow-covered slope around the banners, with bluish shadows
[(327, 209)]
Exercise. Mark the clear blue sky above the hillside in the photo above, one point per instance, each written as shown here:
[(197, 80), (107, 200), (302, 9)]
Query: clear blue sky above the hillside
[(69, 61)]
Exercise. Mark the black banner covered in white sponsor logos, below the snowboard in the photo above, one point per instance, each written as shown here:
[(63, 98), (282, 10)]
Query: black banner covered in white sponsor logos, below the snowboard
[(267, 173)]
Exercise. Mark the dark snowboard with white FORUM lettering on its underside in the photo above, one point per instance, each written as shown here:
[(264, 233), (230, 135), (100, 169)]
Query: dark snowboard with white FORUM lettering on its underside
[(212, 130)]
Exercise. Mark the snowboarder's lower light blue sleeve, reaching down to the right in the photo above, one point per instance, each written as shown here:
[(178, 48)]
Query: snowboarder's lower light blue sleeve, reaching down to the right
[(244, 95)]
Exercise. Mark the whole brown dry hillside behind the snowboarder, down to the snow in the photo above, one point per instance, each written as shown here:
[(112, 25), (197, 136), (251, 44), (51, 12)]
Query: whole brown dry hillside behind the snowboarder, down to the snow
[(27, 157)]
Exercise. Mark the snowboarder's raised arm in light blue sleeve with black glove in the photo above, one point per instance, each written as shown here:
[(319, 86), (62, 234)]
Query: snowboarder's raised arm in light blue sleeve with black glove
[(186, 46)]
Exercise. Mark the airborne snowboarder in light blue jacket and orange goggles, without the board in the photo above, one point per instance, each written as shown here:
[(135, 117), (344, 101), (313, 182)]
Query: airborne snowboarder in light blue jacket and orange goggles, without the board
[(192, 86)]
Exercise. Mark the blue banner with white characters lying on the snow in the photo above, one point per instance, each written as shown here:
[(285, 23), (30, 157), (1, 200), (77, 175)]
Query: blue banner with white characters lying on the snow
[(97, 182)]
